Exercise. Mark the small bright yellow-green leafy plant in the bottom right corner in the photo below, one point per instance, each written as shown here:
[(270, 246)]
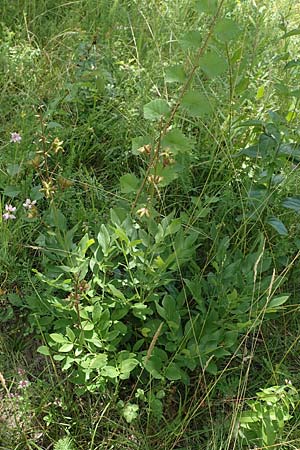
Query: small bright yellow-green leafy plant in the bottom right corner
[(263, 423)]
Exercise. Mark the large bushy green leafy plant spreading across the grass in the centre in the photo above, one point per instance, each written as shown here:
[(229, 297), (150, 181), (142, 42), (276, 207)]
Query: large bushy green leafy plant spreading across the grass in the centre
[(128, 299)]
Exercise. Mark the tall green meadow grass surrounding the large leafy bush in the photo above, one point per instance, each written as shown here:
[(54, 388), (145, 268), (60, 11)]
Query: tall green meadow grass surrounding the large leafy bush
[(90, 66)]
